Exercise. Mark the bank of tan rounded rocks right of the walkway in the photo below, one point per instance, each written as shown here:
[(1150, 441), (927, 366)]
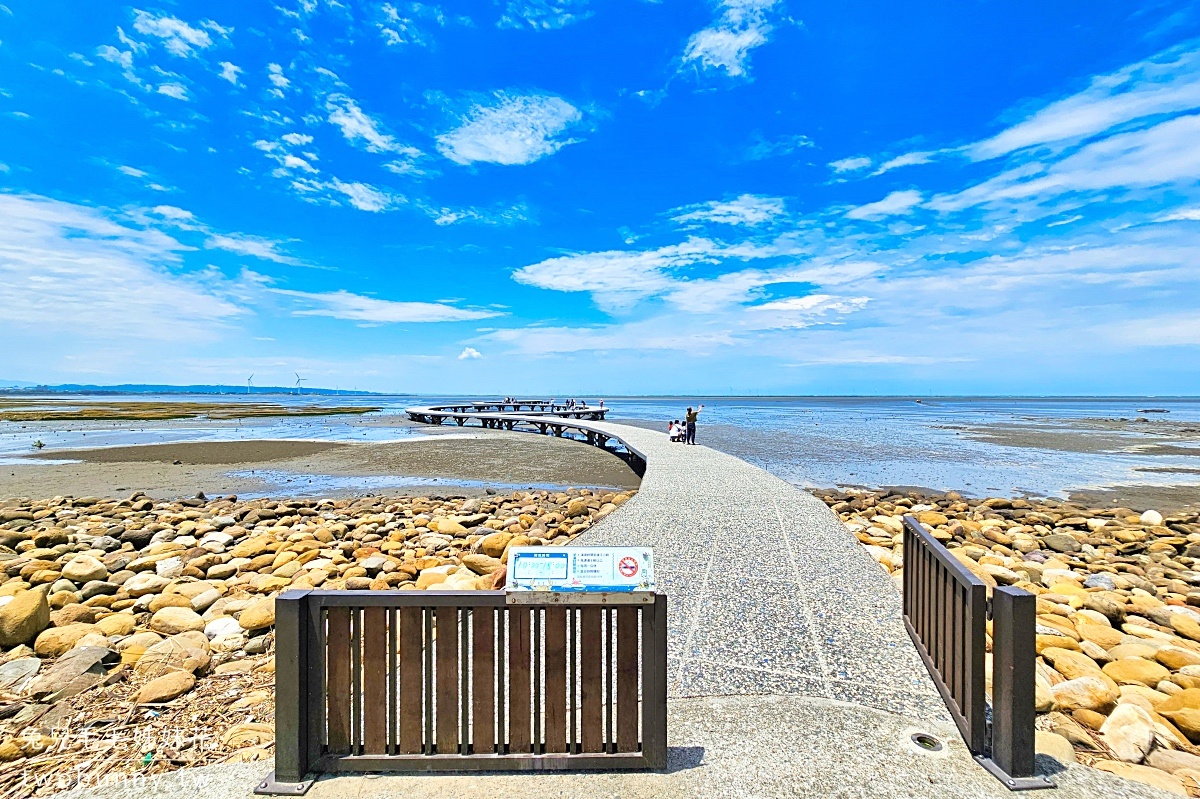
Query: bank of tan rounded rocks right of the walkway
[(1118, 682)]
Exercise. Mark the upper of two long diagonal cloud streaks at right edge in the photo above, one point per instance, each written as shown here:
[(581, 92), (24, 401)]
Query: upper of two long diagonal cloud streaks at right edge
[(1168, 83)]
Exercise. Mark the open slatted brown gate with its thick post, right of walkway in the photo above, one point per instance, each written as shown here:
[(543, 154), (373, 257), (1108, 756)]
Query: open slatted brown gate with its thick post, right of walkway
[(946, 611)]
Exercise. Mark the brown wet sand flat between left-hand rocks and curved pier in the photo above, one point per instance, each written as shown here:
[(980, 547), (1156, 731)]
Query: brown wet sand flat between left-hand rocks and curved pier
[(487, 456)]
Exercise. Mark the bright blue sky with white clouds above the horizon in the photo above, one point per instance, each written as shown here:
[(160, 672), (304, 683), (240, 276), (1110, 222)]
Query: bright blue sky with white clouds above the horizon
[(590, 197)]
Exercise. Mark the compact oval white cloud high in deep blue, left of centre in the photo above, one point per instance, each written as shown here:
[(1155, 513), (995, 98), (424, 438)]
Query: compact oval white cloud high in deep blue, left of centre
[(514, 130)]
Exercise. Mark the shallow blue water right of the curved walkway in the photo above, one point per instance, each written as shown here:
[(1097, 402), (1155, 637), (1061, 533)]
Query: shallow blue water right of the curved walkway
[(935, 442)]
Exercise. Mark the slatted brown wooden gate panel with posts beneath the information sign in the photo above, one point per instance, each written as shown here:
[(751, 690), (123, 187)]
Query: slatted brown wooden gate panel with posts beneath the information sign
[(463, 681)]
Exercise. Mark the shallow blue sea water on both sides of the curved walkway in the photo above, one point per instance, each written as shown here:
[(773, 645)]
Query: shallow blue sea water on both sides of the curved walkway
[(967, 444)]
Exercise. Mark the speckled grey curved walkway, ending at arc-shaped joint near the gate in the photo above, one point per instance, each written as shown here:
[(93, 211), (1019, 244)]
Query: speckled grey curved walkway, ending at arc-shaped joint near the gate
[(767, 591)]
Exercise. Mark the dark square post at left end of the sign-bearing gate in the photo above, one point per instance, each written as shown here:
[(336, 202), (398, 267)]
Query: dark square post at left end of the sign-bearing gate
[(291, 698)]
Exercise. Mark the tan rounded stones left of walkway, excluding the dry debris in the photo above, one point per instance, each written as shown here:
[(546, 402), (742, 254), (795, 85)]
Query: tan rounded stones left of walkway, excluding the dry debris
[(172, 594)]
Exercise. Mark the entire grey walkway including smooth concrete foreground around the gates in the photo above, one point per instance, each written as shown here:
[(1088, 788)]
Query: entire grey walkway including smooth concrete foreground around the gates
[(790, 670)]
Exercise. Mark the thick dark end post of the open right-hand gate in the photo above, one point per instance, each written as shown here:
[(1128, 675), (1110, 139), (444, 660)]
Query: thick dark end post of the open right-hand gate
[(1012, 690)]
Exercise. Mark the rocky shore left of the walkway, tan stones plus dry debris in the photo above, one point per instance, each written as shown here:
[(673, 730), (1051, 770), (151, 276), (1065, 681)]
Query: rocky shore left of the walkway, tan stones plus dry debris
[(137, 635)]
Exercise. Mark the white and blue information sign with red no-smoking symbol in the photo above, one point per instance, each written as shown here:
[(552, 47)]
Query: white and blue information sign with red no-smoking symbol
[(581, 569)]
